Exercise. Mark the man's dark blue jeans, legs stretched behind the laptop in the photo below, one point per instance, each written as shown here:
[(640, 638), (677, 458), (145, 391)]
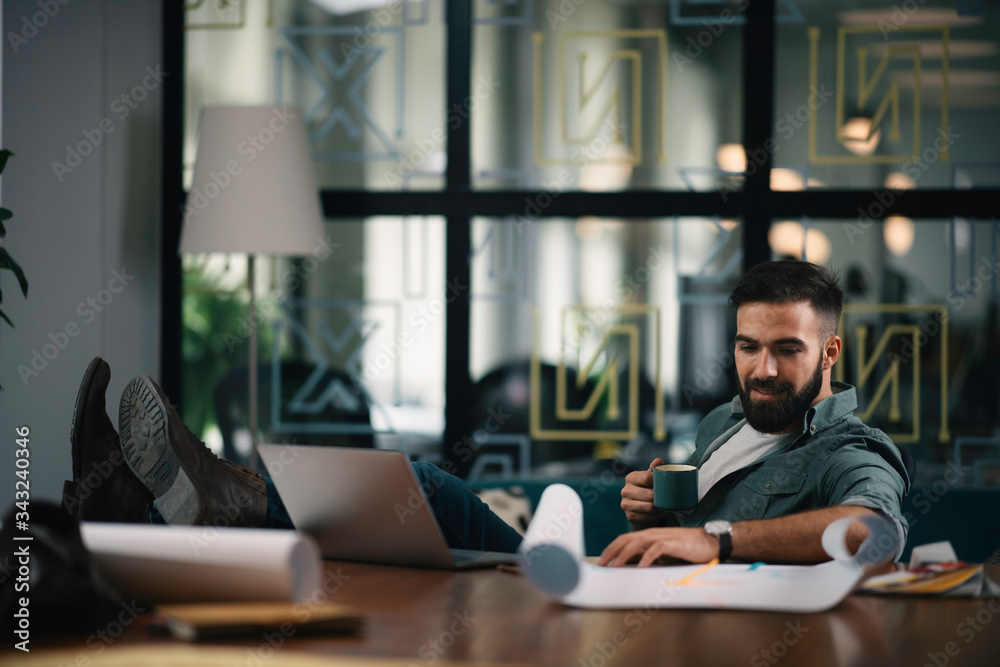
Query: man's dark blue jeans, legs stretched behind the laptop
[(466, 521)]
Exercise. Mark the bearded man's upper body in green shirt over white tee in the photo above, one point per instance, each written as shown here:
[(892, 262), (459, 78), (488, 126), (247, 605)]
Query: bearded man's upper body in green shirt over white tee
[(787, 456)]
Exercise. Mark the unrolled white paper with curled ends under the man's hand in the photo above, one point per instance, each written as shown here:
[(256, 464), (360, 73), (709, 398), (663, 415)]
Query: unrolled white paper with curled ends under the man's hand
[(552, 557)]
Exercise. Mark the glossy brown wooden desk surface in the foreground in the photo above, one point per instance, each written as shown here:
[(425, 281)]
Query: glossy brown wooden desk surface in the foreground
[(428, 617)]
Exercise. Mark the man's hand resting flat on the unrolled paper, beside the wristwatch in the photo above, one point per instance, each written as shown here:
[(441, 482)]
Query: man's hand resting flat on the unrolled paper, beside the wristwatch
[(690, 544)]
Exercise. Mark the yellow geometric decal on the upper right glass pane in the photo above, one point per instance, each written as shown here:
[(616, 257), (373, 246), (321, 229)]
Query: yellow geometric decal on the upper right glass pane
[(890, 102)]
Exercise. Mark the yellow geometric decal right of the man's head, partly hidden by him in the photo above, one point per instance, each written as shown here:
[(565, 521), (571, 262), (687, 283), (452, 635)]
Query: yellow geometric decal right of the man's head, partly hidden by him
[(890, 381)]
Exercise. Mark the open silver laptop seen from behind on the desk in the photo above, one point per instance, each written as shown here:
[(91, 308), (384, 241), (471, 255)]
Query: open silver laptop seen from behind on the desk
[(364, 505)]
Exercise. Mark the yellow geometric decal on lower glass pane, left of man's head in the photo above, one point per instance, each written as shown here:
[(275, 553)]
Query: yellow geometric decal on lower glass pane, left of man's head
[(607, 383)]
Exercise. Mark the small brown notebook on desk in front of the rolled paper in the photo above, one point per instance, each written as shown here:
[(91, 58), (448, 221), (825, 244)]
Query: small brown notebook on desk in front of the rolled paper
[(195, 622)]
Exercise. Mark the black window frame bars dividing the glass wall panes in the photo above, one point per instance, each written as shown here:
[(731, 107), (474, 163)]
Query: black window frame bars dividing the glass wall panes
[(756, 204)]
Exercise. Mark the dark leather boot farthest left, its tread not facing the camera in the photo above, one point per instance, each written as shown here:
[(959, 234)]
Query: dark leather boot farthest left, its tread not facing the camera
[(103, 488)]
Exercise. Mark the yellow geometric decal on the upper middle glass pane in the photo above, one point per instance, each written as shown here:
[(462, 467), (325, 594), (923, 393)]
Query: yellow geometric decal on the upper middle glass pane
[(610, 112)]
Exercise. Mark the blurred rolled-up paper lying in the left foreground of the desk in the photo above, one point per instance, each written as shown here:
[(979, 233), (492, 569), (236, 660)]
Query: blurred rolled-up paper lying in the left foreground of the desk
[(203, 563)]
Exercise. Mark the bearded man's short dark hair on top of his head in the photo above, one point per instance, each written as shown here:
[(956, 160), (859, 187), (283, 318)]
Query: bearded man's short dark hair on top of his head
[(787, 281)]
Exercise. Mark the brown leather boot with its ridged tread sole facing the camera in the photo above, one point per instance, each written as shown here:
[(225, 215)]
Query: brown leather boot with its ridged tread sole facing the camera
[(191, 485)]
